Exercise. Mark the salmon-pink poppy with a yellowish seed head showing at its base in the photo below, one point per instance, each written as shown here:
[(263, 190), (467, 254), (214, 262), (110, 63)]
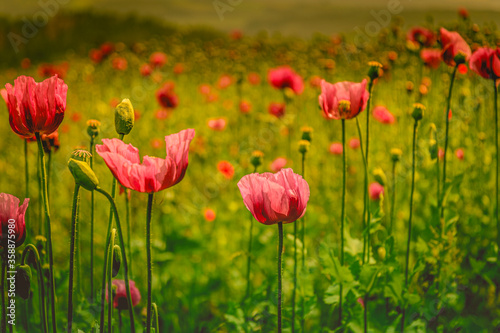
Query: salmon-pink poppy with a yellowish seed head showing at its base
[(343, 100)]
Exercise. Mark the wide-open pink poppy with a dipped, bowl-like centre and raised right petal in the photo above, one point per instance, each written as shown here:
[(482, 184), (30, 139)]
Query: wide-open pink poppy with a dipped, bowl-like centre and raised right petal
[(153, 174)]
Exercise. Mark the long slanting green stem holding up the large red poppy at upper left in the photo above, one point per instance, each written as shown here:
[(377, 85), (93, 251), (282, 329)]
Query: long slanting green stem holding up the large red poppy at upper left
[(49, 232)]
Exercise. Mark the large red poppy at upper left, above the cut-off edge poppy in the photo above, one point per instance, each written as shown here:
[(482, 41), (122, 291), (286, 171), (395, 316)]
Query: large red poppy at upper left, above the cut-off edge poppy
[(36, 107)]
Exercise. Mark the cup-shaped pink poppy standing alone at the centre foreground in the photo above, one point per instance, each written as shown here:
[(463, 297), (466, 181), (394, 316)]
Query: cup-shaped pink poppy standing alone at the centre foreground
[(273, 198)]
